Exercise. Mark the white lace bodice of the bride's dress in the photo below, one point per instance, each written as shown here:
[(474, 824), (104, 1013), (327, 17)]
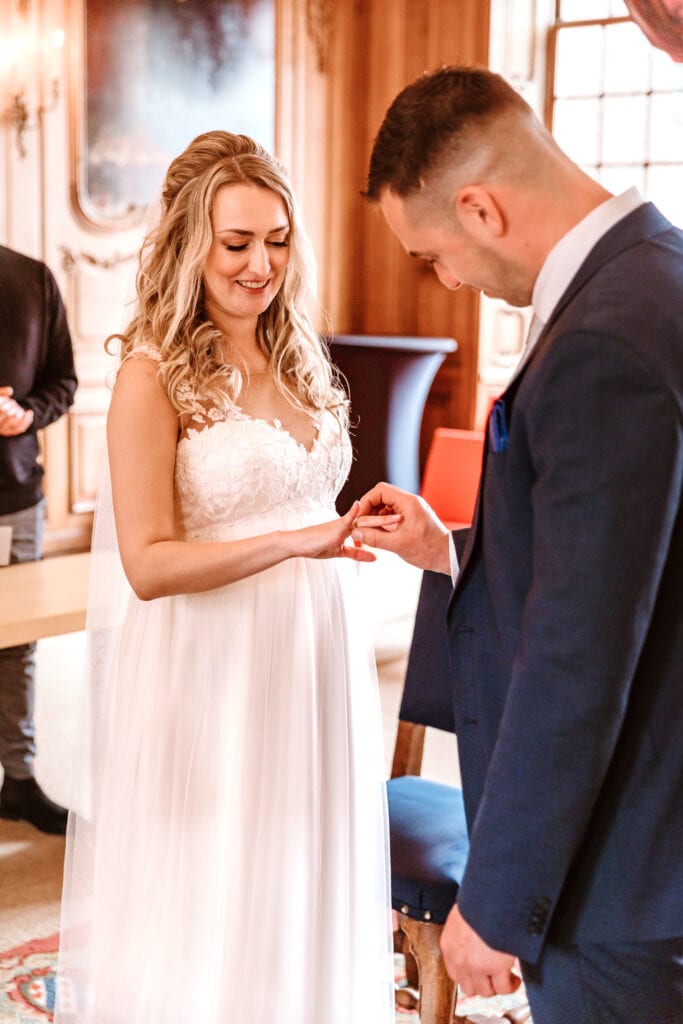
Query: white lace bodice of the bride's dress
[(242, 475)]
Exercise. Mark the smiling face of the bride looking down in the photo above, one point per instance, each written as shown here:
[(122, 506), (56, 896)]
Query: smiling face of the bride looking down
[(249, 253)]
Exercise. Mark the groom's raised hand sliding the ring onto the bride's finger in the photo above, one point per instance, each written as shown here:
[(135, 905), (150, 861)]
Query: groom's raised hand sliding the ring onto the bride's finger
[(420, 537)]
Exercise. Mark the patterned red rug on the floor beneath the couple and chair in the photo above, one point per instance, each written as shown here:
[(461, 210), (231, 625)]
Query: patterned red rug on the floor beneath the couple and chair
[(28, 987)]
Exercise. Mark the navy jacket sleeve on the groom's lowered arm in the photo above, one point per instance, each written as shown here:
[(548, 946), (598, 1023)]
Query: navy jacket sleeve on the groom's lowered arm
[(605, 438)]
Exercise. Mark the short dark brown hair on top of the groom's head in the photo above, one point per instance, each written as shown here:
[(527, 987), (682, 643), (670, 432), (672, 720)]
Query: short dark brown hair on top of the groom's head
[(438, 120)]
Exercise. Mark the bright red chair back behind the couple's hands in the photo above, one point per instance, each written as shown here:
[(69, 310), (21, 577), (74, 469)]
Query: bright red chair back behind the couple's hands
[(452, 475)]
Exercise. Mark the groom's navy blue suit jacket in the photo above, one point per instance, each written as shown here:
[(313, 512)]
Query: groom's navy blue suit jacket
[(567, 622)]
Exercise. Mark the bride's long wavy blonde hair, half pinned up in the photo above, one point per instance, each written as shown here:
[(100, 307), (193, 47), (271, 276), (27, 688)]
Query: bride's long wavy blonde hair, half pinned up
[(170, 315)]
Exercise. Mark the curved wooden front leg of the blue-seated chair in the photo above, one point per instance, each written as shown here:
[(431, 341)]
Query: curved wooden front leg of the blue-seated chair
[(438, 991)]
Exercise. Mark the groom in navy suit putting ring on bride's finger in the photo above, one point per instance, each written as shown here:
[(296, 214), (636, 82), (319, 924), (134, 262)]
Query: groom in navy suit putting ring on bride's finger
[(566, 624)]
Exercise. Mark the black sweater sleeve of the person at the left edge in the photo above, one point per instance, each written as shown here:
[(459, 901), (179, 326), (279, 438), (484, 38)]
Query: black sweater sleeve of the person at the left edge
[(56, 382)]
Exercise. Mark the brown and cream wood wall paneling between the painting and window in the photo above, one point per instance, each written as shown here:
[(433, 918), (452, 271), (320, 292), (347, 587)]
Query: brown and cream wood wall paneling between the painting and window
[(334, 91)]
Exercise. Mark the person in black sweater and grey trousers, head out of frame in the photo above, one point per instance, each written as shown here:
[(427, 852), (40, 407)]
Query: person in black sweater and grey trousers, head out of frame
[(37, 386)]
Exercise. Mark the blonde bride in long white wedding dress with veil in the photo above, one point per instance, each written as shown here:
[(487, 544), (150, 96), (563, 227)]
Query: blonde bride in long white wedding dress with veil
[(229, 865)]
